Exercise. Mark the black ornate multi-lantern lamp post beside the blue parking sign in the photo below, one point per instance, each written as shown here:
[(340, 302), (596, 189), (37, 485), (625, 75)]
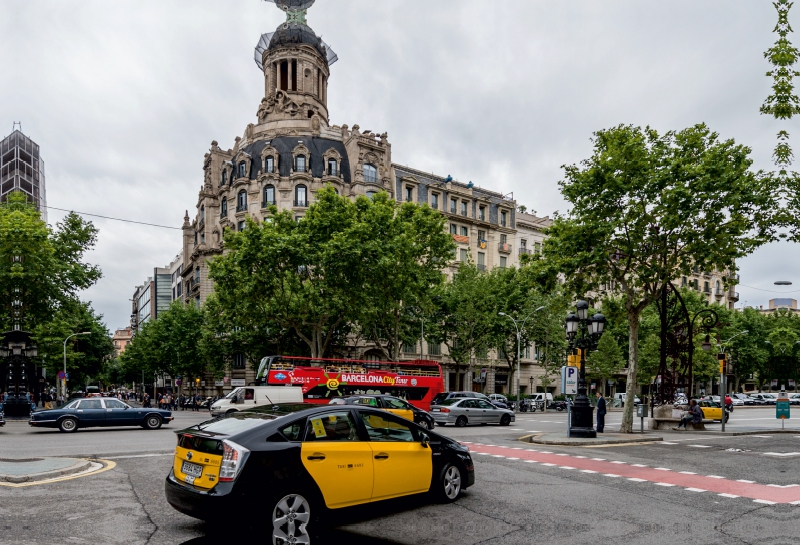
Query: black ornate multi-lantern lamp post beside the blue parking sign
[(583, 333)]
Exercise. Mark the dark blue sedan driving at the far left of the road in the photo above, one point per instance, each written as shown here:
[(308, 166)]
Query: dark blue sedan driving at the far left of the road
[(98, 411)]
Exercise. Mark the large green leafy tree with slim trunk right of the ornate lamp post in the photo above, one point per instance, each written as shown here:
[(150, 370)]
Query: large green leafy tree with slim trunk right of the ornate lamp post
[(648, 208)]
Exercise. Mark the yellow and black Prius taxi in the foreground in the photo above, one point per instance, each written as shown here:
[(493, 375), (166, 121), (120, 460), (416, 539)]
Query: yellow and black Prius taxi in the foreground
[(296, 463)]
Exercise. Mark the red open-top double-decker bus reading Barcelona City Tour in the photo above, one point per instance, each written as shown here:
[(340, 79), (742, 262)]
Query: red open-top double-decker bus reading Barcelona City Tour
[(322, 379)]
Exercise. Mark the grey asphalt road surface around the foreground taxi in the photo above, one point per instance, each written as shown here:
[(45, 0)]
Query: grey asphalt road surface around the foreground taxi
[(514, 500)]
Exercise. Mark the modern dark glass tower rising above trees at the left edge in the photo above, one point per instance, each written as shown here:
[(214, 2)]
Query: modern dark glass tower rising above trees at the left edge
[(22, 169)]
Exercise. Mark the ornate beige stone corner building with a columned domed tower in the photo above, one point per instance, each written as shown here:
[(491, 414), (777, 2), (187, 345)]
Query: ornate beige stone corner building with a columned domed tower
[(291, 150)]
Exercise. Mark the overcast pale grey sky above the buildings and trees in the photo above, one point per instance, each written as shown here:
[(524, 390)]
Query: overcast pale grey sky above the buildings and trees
[(125, 97)]
